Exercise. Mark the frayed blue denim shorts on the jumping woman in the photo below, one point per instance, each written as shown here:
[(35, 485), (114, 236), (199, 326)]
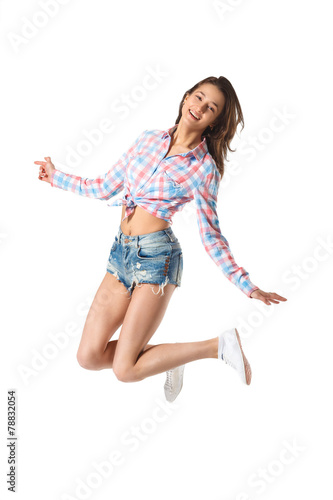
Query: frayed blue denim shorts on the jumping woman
[(155, 258)]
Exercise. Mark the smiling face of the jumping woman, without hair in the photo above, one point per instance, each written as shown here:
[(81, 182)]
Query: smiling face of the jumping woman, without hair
[(203, 106)]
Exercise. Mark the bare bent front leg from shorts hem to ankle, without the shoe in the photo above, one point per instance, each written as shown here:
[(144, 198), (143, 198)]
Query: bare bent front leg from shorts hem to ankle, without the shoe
[(134, 360)]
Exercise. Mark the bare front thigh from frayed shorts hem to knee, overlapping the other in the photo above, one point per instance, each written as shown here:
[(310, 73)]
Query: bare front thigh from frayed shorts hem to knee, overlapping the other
[(144, 315)]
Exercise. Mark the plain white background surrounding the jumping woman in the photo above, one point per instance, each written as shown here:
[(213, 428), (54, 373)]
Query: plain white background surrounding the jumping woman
[(220, 440)]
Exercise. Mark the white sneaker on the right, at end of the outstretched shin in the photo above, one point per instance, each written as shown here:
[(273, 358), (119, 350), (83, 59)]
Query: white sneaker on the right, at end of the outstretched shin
[(230, 350)]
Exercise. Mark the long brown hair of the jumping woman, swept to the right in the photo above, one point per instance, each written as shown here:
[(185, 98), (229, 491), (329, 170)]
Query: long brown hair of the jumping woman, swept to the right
[(220, 136)]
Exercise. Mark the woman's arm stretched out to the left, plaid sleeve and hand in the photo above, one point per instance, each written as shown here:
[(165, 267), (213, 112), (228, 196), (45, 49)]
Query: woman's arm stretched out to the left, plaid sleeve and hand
[(103, 187)]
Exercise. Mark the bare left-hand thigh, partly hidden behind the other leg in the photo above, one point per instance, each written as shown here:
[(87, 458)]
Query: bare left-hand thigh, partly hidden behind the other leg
[(105, 316)]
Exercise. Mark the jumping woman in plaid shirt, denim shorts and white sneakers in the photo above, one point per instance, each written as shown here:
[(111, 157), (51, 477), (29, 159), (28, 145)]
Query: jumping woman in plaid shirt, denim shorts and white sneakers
[(161, 172)]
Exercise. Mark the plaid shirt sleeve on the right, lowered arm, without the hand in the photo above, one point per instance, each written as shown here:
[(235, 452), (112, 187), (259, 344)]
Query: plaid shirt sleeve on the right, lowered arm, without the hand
[(216, 245)]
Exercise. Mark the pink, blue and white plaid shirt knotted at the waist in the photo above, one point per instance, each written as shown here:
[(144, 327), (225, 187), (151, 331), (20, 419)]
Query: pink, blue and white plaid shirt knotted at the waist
[(162, 187)]
